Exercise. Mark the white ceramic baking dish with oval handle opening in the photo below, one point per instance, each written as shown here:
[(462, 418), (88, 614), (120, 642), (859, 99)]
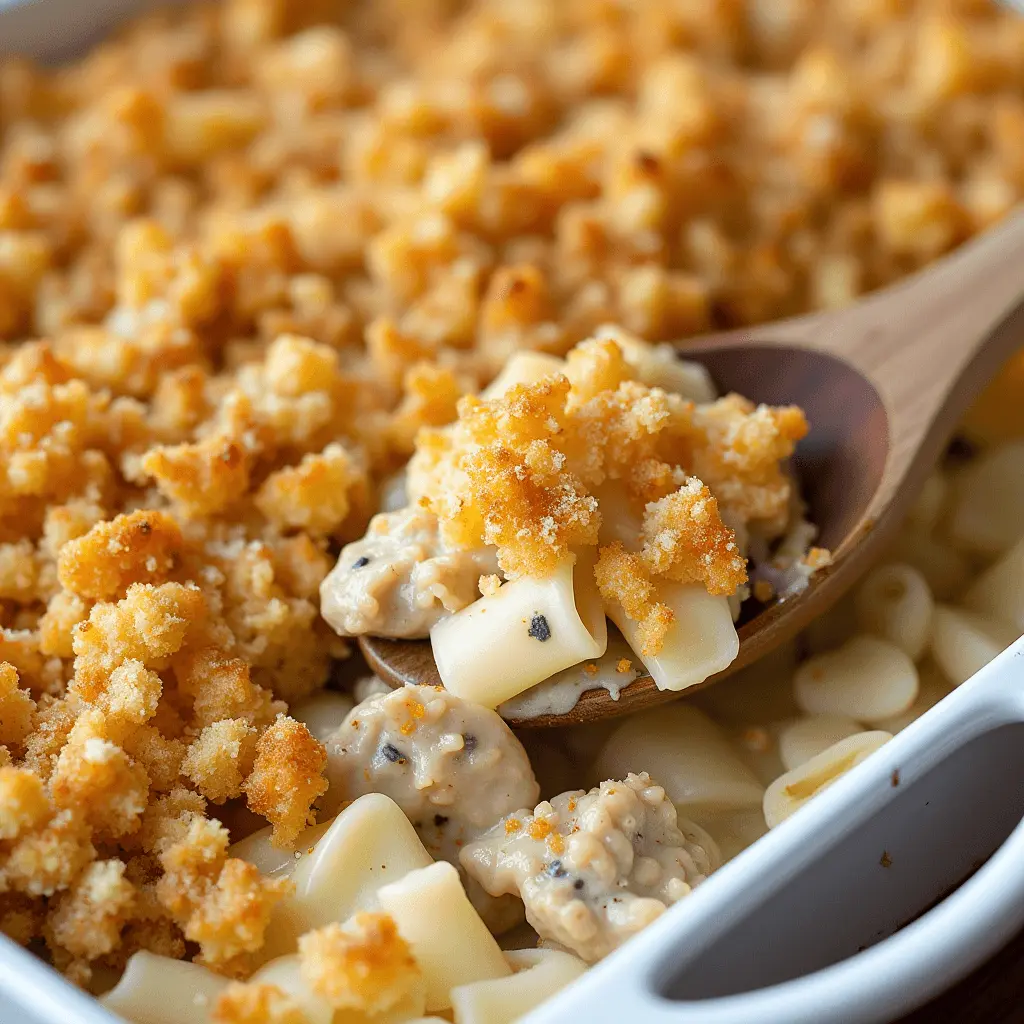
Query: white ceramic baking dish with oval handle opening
[(806, 926)]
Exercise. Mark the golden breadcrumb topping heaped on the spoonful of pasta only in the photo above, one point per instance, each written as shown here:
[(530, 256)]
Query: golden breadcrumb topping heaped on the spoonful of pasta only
[(519, 473)]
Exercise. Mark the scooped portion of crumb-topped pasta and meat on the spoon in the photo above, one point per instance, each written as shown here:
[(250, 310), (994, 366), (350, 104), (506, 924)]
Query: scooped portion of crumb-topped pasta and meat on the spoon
[(612, 485)]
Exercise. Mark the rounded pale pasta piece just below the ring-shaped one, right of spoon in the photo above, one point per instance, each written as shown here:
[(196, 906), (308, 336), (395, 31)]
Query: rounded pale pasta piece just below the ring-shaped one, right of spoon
[(867, 679)]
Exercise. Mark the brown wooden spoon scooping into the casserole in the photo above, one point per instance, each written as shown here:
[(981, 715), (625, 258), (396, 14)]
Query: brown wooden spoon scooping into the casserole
[(884, 383)]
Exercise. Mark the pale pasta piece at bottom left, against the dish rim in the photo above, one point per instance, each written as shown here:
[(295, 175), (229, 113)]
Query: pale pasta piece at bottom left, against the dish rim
[(161, 991)]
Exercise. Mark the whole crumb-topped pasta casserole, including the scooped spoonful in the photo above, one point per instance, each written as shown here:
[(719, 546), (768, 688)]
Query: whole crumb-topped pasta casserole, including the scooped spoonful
[(364, 317)]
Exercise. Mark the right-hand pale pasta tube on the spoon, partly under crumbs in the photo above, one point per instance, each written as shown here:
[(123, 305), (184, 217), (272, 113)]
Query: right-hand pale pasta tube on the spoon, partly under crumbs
[(701, 642)]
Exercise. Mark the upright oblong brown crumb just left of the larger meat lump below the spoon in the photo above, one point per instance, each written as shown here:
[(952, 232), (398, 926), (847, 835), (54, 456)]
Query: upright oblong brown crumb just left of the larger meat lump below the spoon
[(287, 778)]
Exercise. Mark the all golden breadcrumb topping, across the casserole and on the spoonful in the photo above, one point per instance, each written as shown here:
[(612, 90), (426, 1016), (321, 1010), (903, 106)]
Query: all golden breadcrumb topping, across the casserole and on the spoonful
[(251, 251)]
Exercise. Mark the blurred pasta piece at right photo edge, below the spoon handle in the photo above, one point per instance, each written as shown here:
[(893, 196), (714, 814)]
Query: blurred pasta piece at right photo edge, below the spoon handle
[(989, 509)]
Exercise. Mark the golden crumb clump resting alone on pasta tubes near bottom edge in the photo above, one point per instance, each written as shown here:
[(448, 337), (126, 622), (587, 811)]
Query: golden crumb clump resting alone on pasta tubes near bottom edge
[(362, 965)]
